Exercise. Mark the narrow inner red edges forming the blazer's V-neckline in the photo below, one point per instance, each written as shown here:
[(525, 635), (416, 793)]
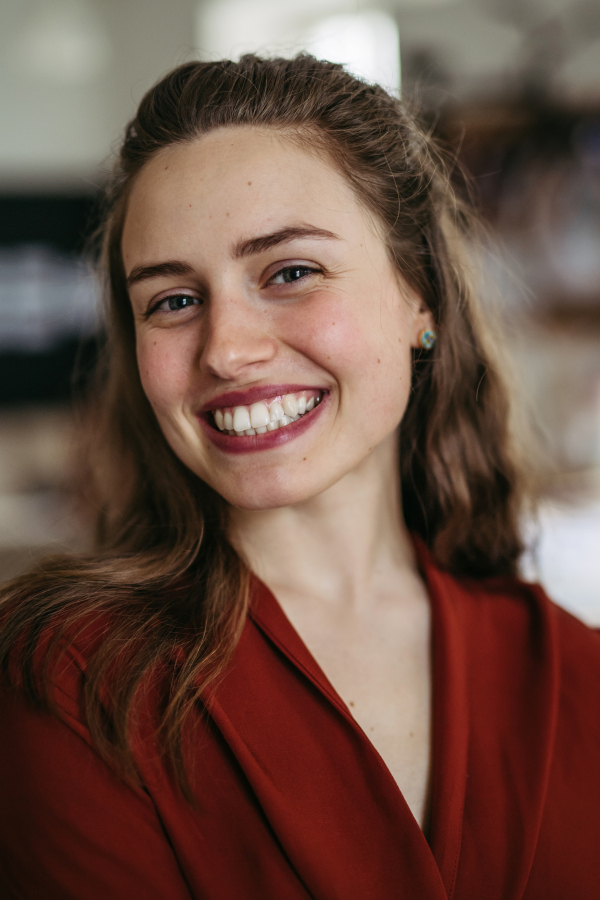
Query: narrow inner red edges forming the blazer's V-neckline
[(449, 712)]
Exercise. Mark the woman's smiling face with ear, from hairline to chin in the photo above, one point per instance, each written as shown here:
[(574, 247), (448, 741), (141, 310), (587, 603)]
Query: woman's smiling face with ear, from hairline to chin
[(265, 302)]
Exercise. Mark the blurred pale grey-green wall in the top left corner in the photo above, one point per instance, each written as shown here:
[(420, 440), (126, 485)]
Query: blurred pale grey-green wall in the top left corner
[(71, 73)]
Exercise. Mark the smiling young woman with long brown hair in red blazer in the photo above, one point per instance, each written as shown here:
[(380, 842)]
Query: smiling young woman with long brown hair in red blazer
[(299, 663)]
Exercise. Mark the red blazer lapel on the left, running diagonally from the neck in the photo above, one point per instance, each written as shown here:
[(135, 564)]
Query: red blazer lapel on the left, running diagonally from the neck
[(332, 803)]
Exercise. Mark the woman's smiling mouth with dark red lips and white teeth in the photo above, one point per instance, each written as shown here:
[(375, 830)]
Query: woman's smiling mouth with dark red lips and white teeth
[(267, 422)]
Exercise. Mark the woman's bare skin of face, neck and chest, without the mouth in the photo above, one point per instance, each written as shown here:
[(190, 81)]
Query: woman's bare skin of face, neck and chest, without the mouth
[(318, 517)]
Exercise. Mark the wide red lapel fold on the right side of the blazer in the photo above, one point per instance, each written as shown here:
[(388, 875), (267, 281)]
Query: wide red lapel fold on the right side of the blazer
[(497, 682)]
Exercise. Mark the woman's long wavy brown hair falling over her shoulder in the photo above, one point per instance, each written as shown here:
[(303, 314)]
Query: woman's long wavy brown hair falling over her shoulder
[(165, 590)]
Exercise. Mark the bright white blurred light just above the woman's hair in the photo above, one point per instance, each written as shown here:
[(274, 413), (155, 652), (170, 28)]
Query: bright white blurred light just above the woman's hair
[(366, 43)]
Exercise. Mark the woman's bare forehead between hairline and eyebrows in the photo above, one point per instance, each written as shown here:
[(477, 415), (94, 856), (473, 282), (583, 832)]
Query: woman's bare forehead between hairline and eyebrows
[(232, 182)]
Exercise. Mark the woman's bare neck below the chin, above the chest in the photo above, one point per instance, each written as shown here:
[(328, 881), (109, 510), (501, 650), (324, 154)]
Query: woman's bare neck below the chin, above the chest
[(338, 546)]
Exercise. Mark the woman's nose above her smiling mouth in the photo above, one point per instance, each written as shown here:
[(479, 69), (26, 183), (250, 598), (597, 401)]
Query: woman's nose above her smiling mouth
[(238, 340)]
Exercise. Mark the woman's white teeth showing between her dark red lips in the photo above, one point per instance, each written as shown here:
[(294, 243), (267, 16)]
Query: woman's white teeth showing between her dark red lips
[(266, 415)]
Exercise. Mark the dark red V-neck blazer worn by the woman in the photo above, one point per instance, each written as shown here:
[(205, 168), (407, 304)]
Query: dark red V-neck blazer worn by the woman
[(295, 803)]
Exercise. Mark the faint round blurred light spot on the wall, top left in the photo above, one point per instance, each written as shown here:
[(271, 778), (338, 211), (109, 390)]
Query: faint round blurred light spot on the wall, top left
[(64, 42)]
